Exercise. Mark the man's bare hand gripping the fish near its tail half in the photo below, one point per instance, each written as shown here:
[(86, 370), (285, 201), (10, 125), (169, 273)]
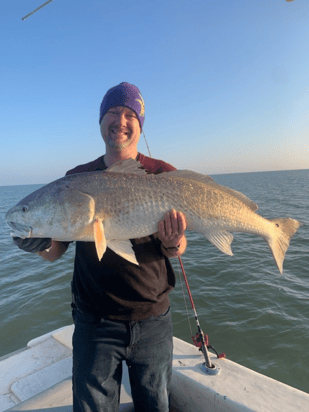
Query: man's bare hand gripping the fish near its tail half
[(171, 233)]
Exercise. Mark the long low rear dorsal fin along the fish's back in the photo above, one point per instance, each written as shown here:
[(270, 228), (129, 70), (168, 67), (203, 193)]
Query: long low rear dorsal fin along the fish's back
[(199, 177)]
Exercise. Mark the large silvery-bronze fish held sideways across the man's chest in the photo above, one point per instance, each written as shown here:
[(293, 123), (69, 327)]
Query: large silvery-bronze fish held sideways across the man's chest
[(124, 202)]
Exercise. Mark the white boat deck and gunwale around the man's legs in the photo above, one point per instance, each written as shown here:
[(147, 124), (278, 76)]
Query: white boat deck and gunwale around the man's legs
[(38, 378)]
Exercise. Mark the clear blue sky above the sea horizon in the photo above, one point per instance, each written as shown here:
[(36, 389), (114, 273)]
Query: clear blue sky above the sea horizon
[(225, 83)]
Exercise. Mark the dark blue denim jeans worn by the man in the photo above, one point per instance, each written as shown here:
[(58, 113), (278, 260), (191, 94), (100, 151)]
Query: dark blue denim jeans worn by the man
[(100, 346)]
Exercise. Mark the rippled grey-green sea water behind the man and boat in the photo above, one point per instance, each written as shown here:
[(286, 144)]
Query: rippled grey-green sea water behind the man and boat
[(258, 317)]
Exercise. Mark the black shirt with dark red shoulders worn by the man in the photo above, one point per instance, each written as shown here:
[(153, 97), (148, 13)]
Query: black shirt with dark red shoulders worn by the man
[(113, 287)]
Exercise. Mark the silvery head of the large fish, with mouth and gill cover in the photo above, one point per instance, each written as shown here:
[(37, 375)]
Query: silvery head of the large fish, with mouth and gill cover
[(57, 211)]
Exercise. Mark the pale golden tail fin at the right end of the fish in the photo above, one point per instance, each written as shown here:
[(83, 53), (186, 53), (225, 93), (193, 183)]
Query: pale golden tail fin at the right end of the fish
[(279, 243)]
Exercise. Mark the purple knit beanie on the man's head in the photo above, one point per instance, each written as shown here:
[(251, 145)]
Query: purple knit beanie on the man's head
[(124, 94)]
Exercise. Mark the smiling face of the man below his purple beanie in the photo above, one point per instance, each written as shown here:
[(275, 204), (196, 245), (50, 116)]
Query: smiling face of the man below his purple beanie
[(120, 128)]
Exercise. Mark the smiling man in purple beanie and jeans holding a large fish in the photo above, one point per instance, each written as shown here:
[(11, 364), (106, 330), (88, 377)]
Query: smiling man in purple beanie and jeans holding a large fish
[(121, 310)]
